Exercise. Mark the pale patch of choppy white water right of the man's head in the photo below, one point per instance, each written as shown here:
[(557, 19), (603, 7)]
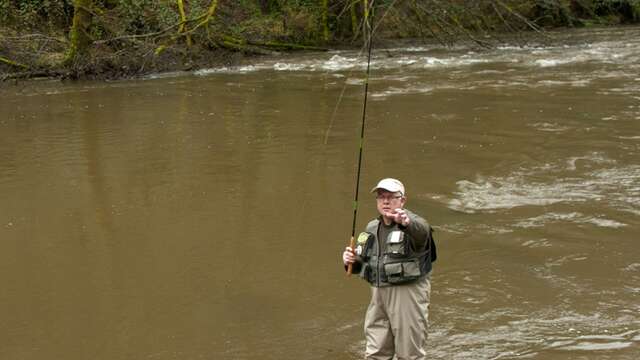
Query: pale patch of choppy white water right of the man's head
[(620, 186)]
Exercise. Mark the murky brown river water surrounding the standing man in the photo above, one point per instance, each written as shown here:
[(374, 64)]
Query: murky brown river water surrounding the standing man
[(202, 216)]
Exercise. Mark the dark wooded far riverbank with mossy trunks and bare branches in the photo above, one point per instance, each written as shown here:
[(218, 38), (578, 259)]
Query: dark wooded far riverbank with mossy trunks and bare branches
[(120, 38)]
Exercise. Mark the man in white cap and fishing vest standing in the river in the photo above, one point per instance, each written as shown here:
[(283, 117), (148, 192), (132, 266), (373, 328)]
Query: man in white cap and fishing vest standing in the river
[(394, 255)]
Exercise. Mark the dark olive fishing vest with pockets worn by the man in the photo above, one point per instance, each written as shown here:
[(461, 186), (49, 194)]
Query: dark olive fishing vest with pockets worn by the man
[(393, 260)]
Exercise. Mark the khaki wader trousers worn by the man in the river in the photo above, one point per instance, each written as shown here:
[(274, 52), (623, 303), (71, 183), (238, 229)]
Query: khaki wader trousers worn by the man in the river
[(397, 321)]
